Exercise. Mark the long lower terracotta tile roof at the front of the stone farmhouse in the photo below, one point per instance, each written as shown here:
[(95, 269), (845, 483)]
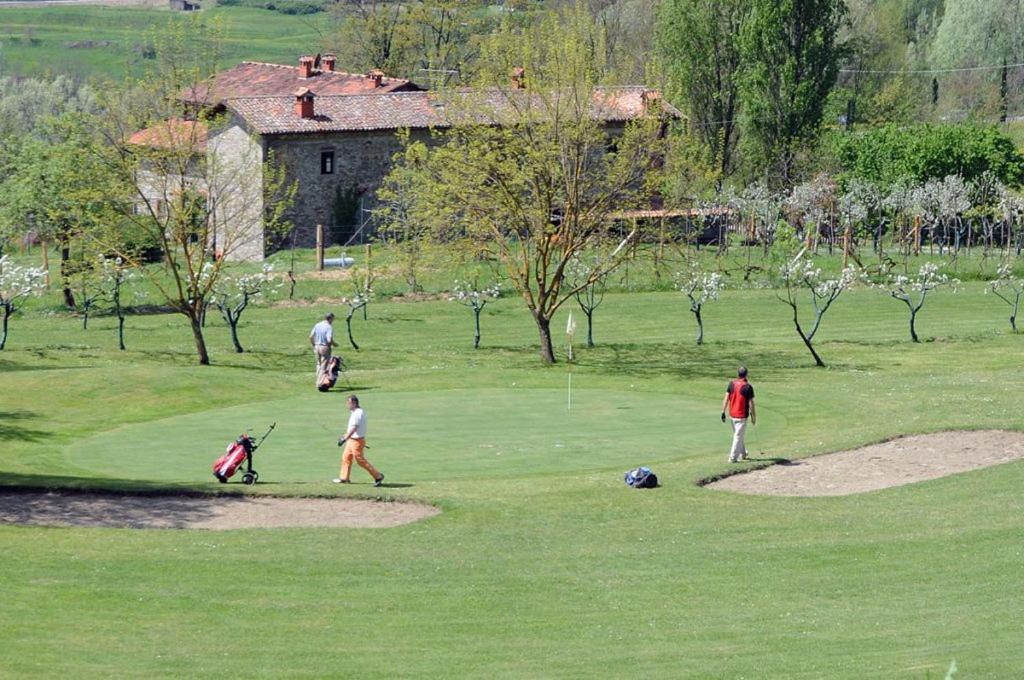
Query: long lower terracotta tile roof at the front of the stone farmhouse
[(276, 115)]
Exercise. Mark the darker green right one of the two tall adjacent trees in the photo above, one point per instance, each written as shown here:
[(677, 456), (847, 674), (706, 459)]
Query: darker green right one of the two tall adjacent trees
[(790, 53)]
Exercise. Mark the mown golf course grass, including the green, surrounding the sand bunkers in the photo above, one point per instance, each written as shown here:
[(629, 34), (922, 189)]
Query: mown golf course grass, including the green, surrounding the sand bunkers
[(542, 564)]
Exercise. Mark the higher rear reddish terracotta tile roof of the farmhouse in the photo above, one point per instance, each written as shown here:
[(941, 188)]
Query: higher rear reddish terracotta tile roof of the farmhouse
[(260, 79)]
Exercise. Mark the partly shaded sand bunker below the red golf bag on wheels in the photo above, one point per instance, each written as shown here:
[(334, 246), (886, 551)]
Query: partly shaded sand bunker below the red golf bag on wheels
[(209, 513)]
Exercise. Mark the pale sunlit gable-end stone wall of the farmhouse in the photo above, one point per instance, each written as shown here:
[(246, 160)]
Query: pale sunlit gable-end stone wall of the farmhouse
[(235, 177)]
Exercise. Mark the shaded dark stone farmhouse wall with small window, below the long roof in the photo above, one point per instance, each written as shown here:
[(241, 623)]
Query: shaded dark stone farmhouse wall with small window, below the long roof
[(362, 160)]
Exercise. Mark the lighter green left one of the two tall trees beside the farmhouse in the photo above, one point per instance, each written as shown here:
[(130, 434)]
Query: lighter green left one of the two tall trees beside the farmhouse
[(700, 45)]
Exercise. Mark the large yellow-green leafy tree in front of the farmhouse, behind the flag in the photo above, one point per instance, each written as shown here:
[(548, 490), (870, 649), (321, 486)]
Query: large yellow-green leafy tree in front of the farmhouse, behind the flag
[(530, 173)]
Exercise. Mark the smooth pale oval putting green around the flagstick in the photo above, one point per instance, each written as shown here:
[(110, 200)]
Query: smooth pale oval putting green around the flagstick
[(417, 437)]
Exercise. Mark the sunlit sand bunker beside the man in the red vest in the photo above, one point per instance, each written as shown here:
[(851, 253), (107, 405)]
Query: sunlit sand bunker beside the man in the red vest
[(893, 463)]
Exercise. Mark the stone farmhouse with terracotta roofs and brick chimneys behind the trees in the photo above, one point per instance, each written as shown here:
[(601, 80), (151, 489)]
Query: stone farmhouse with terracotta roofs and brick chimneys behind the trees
[(334, 133)]
